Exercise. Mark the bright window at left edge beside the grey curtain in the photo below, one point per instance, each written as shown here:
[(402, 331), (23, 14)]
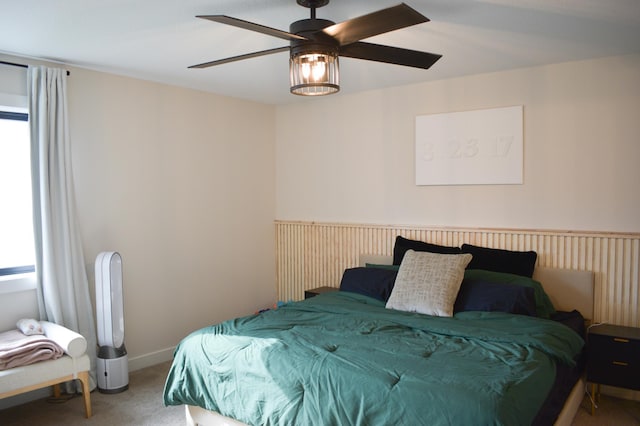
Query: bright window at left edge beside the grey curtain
[(17, 253)]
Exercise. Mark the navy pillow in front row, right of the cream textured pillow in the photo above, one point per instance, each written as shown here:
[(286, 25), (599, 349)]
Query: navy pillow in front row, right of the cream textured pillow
[(479, 295)]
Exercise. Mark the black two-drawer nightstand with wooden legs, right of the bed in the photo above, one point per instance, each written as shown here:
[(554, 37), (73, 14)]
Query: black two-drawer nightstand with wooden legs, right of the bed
[(613, 357)]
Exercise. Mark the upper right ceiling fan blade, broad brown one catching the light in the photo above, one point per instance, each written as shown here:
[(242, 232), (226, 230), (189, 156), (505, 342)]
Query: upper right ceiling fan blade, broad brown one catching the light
[(382, 21)]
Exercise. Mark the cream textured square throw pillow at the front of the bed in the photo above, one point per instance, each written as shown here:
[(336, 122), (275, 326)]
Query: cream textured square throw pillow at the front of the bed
[(428, 283)]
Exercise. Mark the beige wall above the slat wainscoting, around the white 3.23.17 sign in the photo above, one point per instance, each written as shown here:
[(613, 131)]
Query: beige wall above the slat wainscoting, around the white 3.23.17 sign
[(351, 158)]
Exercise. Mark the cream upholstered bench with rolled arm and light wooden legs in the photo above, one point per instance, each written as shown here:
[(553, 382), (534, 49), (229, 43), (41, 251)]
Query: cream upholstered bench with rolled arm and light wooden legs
[(74, 364)]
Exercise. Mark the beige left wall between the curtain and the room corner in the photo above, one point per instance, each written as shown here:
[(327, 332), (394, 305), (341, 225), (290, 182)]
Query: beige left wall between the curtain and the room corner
[(182, 184)]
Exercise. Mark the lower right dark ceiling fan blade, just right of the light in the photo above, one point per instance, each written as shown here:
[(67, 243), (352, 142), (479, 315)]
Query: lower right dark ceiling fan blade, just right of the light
[(389, 54)]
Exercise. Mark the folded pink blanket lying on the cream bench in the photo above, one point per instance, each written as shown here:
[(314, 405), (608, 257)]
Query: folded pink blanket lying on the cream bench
[(17, 350)]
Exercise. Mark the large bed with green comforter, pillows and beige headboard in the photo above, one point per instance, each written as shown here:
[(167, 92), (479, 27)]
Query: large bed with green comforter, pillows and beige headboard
[(356, 356)]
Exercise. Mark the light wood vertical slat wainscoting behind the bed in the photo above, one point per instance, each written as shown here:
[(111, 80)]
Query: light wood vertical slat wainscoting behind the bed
[(310, 254)]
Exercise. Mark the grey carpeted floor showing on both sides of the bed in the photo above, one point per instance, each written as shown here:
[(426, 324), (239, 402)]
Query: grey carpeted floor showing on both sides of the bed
[(141, 405)]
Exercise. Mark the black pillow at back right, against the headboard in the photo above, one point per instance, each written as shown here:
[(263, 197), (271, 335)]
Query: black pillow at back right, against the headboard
[(498, 260)]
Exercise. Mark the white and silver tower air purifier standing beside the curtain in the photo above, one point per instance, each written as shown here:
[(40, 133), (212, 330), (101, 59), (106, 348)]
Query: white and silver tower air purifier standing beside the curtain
[(113, 364)]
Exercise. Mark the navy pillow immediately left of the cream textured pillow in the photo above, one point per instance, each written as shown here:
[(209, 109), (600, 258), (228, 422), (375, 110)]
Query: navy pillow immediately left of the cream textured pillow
[(372, 282)]
